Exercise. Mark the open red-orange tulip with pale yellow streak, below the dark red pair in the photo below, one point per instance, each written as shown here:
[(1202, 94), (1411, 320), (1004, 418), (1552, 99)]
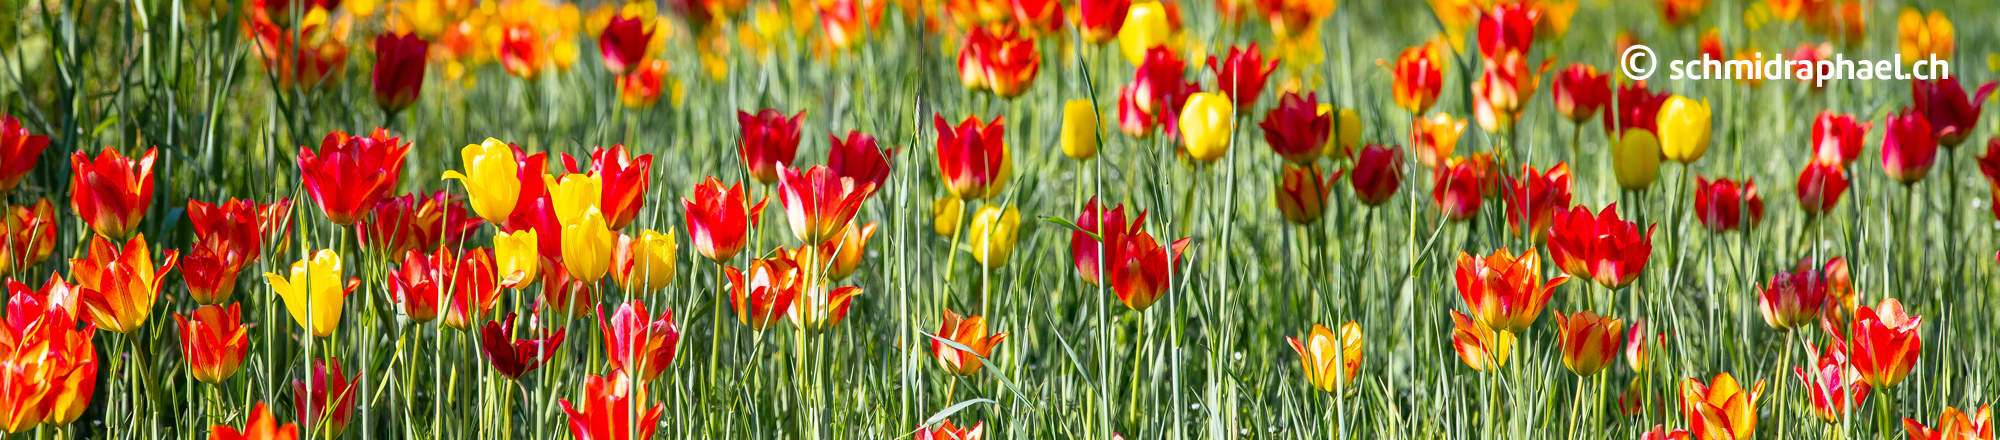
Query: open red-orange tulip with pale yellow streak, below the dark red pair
[(817, 203)]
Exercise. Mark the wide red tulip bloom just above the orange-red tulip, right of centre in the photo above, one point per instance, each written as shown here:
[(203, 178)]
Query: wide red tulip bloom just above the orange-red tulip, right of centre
[(1601, 247)]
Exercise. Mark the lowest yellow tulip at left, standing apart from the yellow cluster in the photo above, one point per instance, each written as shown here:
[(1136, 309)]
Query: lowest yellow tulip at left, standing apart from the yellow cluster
[(315, 293)]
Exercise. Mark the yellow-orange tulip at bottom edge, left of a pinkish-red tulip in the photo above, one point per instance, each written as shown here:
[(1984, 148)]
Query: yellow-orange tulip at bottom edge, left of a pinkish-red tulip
[(1721, 409)]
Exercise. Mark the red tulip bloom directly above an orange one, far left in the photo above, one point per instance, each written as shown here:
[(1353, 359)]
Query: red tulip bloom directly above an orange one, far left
[(113, 191)]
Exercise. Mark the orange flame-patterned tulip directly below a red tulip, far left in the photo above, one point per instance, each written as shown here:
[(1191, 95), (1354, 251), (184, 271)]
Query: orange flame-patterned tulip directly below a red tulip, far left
[(119, 285)]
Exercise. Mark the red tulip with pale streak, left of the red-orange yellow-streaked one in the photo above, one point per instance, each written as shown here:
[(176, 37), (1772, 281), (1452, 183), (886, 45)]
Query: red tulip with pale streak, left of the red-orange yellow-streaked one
[(719, 219)]
